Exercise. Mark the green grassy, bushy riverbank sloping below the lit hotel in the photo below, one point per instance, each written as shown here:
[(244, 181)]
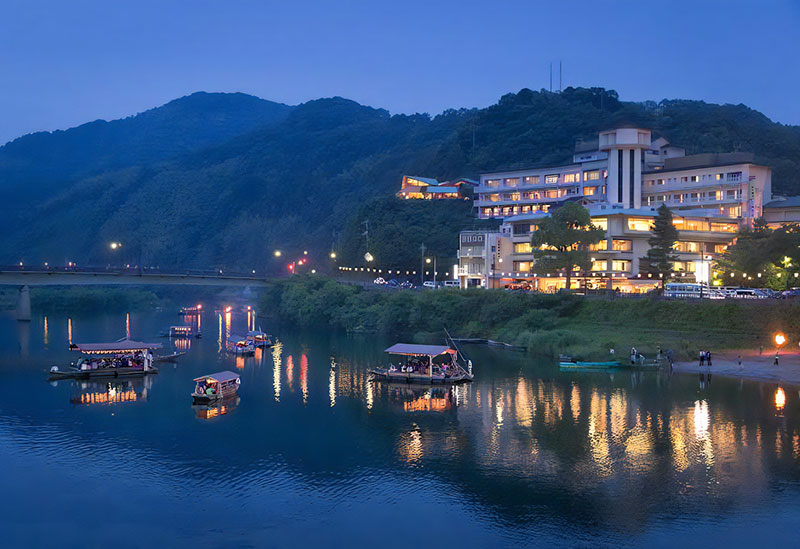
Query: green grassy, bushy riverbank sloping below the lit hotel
[(546, 324)]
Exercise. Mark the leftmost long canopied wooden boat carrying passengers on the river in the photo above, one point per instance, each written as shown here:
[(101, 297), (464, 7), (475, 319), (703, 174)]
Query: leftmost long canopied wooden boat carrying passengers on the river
[(120, 358)]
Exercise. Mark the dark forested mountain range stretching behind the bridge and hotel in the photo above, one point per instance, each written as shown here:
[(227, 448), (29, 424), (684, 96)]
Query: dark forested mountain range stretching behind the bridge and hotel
[(305, 177)]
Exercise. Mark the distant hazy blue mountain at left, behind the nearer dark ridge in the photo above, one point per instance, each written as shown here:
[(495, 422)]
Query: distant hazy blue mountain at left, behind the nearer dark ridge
[(181, 126)]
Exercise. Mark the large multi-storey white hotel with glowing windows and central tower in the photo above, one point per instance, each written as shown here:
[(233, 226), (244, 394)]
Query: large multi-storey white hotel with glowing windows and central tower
[(622, 178)]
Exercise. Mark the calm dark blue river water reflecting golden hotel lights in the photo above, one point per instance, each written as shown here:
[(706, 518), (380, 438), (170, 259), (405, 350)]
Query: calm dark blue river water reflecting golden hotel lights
[(312, 454)]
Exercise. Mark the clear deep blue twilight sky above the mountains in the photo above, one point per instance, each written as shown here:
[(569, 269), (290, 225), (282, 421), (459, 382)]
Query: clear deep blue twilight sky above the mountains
[(63, 63)]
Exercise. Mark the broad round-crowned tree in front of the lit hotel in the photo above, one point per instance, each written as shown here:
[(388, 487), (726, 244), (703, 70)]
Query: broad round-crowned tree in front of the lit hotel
[(562, 240)]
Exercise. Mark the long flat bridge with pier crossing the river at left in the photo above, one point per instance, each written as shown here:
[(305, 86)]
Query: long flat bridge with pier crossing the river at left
[(72, 276)]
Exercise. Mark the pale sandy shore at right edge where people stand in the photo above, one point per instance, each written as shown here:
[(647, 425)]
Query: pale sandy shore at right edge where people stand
[(754, 365)]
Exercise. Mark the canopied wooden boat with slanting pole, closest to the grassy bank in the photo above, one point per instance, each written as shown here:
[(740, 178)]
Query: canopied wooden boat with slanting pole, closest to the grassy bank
[(423, 364)]
